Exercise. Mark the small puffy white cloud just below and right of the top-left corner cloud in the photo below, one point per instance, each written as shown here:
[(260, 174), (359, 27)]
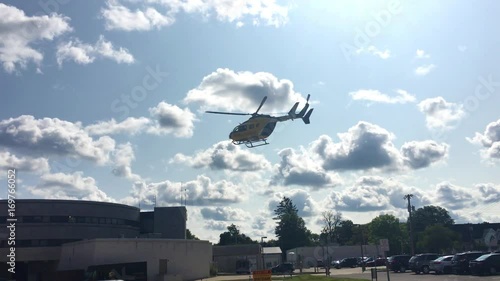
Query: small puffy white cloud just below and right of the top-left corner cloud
[(83, 53)]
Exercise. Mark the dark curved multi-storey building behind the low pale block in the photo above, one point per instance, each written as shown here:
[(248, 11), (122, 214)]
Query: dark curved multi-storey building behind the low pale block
[(42, 227)]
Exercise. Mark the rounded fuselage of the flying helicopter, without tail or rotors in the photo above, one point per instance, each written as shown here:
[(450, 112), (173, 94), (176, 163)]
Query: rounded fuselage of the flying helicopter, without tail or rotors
[(254, 129)]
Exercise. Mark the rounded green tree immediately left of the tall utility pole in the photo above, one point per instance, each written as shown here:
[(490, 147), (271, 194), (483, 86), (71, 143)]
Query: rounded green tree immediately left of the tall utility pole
[(386, 227)]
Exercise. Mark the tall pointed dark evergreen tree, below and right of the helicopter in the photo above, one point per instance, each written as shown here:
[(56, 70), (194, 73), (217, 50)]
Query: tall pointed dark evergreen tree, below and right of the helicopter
[(290, 229)]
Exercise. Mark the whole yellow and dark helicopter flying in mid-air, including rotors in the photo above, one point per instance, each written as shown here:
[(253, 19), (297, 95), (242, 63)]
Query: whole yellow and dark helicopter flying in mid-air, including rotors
[(255, 131)]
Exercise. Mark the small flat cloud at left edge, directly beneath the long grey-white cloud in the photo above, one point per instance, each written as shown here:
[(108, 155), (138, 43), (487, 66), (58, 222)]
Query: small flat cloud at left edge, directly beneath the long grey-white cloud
[(35, 165)]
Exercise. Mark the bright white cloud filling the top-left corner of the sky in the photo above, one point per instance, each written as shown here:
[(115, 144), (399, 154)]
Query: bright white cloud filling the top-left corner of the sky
[(19, 32)]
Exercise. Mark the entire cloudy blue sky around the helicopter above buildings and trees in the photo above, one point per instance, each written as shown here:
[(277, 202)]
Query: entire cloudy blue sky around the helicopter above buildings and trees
[(105, 100)]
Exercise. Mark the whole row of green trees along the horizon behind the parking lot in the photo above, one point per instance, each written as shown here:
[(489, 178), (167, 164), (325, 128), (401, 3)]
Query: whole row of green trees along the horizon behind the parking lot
[(431, 228)]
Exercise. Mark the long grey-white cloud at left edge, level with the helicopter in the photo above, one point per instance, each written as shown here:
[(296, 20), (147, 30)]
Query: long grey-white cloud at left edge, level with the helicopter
[(52, 136)]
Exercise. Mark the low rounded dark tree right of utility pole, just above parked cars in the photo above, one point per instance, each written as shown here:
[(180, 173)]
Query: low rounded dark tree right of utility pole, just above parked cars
[(438, 239)]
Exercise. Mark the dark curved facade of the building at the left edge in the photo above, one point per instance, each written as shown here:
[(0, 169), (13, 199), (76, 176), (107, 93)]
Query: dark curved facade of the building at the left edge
[(62, 220)]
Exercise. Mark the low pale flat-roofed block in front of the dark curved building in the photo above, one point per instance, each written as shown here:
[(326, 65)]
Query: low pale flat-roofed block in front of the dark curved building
[(164, 259)]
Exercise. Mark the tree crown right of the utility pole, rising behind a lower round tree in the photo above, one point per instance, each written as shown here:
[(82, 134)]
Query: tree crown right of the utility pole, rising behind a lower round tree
[(430, 215)]
